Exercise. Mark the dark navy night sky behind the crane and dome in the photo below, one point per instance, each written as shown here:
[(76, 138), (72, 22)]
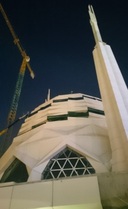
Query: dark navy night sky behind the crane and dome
[(57, 36)]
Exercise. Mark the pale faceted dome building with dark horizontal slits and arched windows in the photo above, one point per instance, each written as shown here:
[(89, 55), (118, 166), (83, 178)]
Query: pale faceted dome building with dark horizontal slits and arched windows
[(73, 122)]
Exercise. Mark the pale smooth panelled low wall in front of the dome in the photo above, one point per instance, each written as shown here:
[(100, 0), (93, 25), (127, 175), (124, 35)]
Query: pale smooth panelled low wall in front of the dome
[(71, 193)]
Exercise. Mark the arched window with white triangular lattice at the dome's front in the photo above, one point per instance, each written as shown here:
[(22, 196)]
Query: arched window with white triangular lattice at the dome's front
[(67, 164)]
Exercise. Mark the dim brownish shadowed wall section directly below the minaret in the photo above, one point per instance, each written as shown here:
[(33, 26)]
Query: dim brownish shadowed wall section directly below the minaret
[(113, 190)]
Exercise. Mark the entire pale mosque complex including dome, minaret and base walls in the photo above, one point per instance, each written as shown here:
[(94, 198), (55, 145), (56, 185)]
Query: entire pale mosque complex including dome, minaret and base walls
[(71, 152)]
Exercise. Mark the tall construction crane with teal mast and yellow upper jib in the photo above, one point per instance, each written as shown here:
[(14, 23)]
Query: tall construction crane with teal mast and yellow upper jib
[(25, 63)]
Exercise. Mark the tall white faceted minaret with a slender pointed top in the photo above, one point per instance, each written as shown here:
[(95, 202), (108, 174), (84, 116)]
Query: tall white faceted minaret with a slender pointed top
[(114, 95)]
